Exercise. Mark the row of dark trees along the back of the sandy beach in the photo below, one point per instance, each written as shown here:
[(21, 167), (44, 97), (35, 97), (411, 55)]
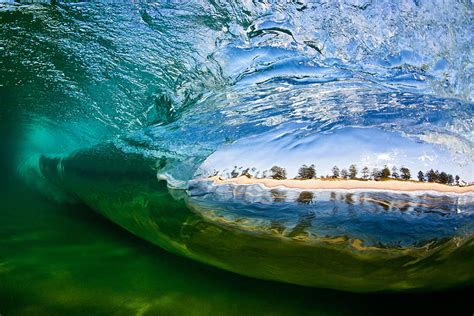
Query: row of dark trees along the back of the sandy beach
[(309, 172)]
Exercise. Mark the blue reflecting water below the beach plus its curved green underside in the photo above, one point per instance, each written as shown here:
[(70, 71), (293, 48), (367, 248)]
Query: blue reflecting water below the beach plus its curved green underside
[(242, 229)]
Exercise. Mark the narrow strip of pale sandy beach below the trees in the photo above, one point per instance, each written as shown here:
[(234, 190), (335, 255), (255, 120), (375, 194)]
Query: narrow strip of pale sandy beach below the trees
[(340, 184)]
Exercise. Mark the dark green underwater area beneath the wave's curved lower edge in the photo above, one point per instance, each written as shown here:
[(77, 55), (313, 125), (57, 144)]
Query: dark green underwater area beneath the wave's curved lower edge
[(69, 260)]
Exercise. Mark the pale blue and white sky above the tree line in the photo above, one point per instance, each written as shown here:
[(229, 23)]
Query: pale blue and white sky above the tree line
[(292, 145)]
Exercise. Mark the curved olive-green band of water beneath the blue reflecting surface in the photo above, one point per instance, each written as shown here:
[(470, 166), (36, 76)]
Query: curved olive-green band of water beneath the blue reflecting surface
[(124, 188)]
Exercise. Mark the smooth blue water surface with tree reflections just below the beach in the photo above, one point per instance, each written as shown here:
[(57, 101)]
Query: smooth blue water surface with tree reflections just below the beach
[(415, 218)]
